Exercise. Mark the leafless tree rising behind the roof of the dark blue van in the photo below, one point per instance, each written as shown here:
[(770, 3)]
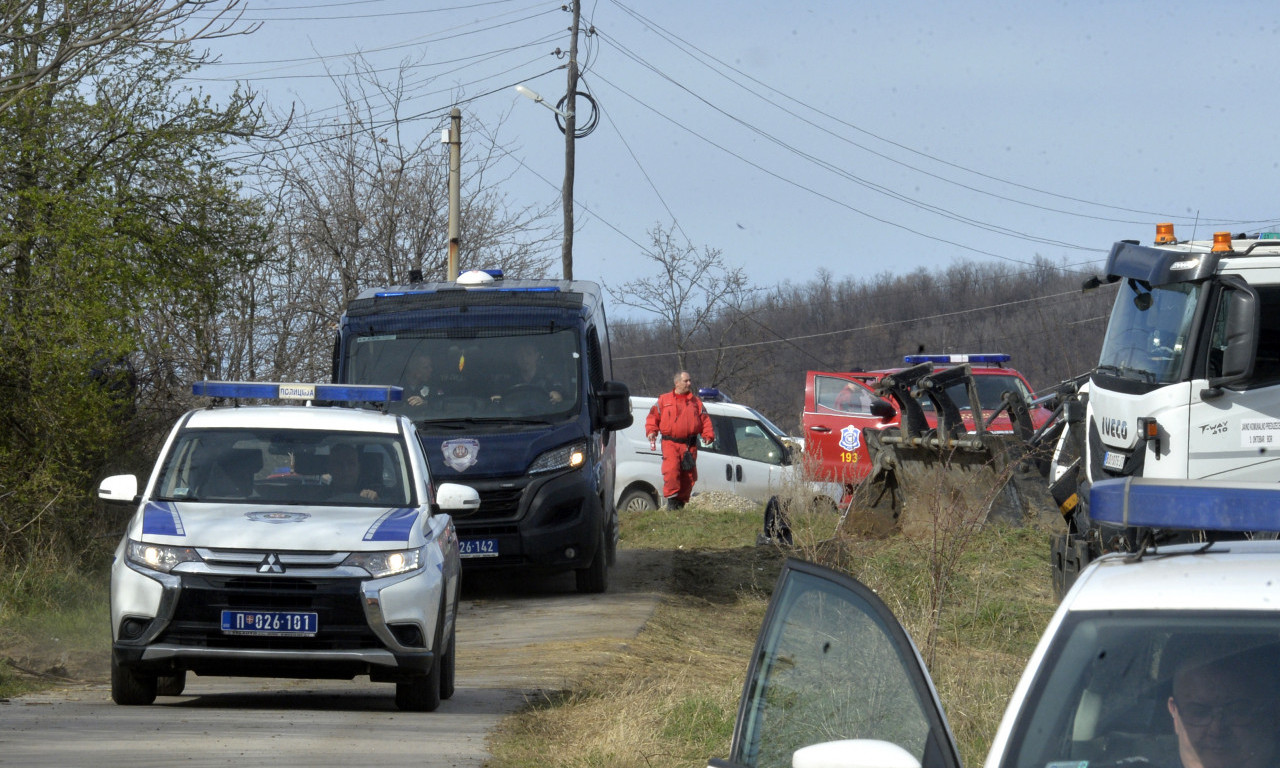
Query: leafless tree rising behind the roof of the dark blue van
[(362, 202)]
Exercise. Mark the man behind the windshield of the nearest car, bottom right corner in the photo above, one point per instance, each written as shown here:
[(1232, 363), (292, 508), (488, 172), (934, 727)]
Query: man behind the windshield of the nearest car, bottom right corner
[(1226, 712)]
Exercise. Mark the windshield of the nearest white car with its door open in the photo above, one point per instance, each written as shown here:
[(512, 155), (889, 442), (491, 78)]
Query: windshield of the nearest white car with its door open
[(1104, 694)]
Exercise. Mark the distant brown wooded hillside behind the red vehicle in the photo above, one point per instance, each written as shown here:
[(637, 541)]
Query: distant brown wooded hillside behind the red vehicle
[(758, 346)]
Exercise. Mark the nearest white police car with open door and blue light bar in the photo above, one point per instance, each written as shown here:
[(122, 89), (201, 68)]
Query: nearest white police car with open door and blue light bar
[(1169, 659)]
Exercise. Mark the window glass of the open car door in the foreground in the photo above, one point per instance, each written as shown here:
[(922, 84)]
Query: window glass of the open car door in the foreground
[(820, 634)]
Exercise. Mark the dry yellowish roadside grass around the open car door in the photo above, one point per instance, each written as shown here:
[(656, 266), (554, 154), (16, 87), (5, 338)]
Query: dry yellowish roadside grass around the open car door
[(673, 697)]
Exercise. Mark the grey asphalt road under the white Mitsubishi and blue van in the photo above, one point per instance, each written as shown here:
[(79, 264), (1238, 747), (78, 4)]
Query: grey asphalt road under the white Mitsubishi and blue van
[(519, 639)]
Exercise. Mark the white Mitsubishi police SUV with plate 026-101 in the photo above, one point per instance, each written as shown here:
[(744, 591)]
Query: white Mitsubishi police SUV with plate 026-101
[(287, 541)]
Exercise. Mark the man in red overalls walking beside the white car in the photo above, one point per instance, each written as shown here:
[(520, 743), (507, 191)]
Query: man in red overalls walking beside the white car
[(680, 418)]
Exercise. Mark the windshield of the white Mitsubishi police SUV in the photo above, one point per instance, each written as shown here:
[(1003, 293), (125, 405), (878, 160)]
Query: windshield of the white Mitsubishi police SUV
[(257, 467)]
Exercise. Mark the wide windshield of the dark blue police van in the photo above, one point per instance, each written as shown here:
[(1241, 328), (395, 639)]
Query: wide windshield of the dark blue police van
[(497, 377)]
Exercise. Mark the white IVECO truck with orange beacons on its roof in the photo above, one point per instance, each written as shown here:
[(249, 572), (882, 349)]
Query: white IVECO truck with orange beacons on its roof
[(1187, 383)]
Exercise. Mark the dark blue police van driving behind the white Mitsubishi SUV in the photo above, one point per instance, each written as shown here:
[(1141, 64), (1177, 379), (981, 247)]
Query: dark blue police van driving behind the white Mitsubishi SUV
[(509, 386)]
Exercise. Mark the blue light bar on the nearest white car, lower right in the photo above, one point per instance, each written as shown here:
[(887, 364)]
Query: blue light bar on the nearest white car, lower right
[(1187, 505)]
